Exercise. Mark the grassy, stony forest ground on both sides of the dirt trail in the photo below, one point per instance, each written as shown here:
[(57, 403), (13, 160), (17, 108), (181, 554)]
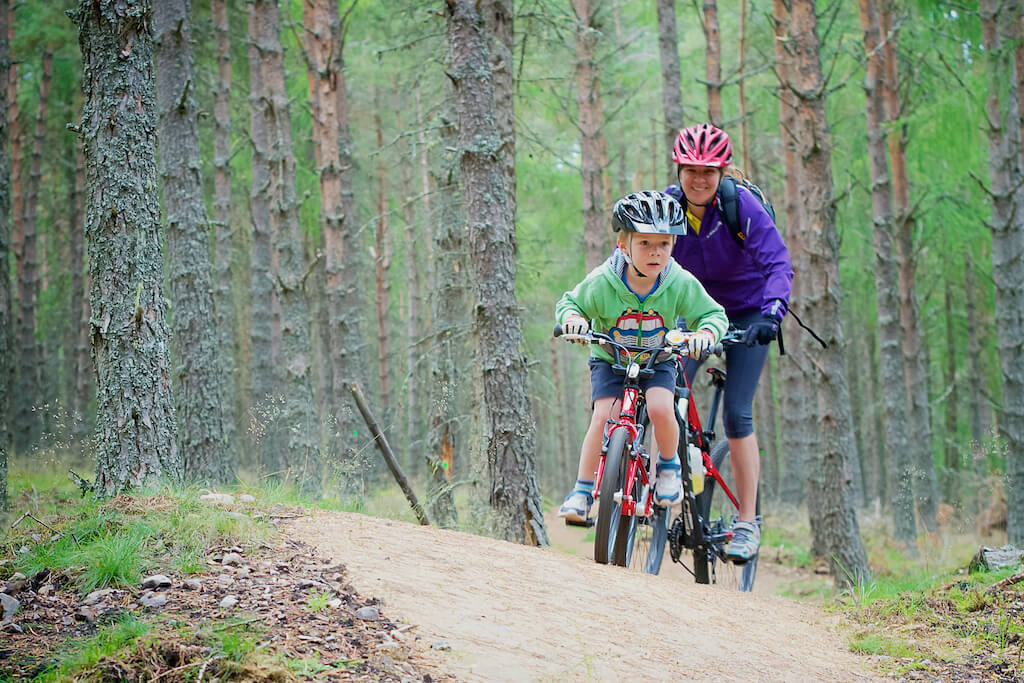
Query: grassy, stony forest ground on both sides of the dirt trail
[(86, 613)]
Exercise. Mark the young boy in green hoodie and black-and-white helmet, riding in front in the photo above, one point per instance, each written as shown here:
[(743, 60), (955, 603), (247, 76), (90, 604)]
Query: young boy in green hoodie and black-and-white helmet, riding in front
[(630, 297)]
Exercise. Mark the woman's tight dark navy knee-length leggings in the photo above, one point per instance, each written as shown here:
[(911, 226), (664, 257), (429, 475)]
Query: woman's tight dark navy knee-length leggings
[(743, 370)]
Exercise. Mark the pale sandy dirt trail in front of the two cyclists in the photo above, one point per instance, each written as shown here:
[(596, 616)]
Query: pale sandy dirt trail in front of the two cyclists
[(517, 614)]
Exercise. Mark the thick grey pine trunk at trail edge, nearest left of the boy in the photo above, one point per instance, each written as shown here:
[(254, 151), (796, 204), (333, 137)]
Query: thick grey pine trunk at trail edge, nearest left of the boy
[(509, 430)]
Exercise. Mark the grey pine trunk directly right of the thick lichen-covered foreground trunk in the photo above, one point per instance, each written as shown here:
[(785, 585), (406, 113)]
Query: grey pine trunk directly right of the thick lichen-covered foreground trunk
[(199, 373)]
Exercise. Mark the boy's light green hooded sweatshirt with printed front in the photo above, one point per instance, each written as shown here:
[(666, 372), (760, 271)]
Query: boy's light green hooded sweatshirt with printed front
[(612, 309)]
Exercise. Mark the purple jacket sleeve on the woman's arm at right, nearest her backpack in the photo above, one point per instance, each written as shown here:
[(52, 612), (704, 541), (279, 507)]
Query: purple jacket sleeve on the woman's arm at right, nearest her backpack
[(769, 251)]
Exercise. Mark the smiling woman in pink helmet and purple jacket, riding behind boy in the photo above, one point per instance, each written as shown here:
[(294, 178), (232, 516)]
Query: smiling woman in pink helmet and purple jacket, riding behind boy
[(753, 282)]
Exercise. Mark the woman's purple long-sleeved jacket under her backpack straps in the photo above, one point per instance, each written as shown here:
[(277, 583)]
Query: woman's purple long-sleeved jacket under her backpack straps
[(757, 277)]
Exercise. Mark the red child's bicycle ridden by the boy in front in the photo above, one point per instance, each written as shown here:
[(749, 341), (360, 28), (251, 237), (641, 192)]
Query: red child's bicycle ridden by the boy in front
[(631, 531)]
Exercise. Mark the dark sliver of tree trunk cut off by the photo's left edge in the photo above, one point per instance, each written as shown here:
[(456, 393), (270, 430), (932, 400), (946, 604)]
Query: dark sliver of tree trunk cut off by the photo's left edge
[(6, 308)]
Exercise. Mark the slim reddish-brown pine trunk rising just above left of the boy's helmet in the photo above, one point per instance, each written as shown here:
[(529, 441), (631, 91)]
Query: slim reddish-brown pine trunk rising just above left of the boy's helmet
[(590, 119)]
